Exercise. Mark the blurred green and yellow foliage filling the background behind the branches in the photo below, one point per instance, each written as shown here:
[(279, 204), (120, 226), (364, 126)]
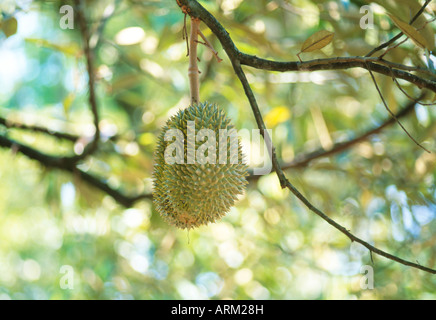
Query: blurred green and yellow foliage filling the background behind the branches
[(269, 246)]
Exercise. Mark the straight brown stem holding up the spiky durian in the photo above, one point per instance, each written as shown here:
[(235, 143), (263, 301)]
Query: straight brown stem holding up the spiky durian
[(194, 82)]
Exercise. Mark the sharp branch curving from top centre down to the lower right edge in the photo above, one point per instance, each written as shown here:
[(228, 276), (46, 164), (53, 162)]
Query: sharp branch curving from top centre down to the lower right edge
[(196, 10)]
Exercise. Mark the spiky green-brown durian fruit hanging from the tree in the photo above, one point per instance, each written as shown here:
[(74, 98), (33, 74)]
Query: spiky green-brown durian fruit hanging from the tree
[(188, 195)]
